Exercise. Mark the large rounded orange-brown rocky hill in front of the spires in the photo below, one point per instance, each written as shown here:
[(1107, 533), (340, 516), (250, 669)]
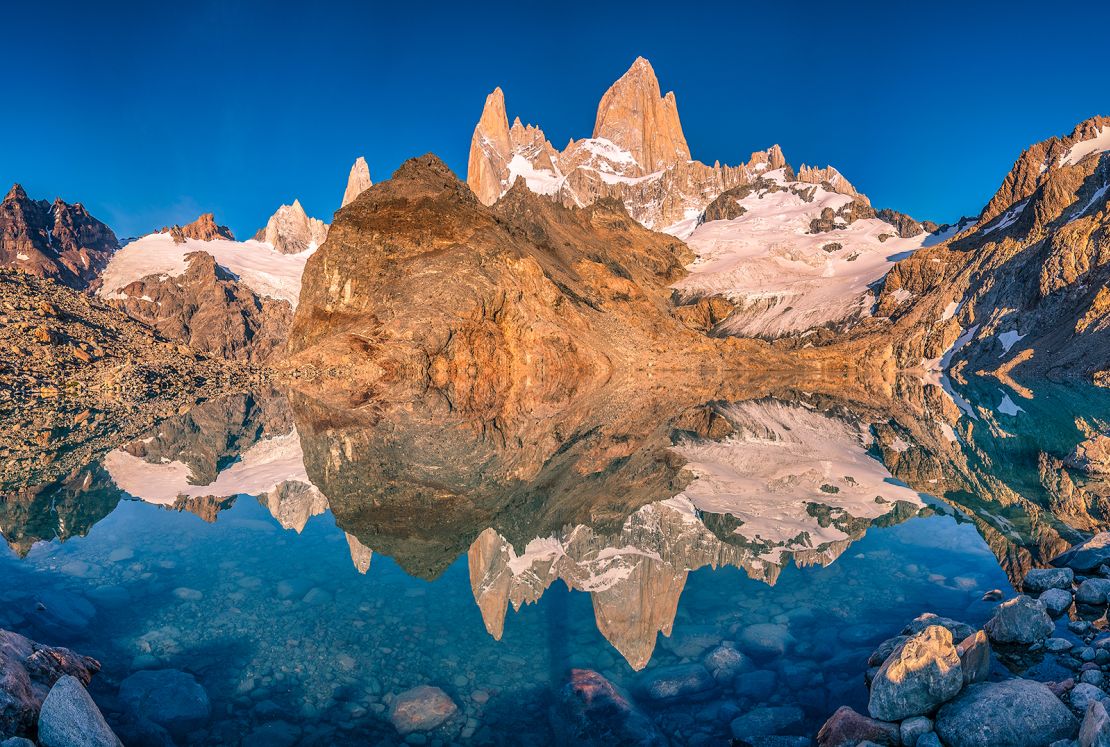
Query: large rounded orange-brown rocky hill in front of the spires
[(421, 282)]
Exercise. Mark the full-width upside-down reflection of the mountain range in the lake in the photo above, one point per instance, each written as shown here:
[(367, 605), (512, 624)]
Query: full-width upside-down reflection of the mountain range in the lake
[(618, 497)]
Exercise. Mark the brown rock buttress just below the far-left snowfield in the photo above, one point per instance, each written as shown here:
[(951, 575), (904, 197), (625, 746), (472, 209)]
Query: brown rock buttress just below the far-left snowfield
[(209, 310)]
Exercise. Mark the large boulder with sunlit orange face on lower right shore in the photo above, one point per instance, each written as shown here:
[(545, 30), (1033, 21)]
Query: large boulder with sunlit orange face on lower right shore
[(922, 674)]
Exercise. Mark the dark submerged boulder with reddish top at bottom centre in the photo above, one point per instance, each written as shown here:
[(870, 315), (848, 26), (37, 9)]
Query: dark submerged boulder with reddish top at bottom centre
[(592, 711)]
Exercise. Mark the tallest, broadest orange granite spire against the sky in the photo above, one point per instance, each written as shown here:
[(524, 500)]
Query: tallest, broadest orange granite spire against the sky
[(634, 116)]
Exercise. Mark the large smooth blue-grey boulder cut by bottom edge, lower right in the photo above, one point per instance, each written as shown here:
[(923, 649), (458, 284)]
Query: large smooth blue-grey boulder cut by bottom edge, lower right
[(1021, 713)]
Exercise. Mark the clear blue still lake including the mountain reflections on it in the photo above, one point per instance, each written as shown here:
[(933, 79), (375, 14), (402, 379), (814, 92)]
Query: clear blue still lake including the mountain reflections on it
[(238, 547)]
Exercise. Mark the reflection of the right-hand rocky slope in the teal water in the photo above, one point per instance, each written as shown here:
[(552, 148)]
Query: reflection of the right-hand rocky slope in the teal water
[(1000, 456)]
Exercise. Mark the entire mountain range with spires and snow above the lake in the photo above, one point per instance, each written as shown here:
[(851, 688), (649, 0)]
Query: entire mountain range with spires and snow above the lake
[(794, 265)]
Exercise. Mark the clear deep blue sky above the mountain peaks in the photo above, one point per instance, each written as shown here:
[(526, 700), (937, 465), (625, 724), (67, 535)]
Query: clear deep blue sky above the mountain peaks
[(152, 113)]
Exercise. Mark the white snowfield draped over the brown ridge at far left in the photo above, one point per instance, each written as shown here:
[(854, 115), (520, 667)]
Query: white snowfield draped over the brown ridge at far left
[(265, 270)]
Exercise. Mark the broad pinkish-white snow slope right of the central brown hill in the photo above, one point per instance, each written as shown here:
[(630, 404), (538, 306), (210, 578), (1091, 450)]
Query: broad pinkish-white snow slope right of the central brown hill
[(784, 277)]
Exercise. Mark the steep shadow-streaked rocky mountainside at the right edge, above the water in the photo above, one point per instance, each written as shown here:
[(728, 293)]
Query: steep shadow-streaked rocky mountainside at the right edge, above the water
[(1022, 289)]
